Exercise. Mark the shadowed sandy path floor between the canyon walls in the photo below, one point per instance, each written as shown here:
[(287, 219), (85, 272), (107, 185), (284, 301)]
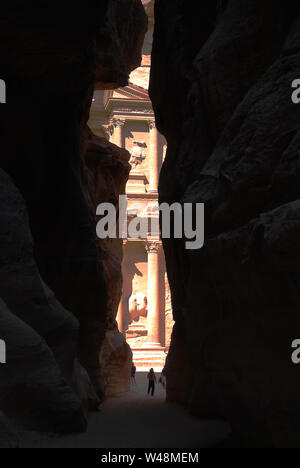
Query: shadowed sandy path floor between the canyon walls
[(135, 420)]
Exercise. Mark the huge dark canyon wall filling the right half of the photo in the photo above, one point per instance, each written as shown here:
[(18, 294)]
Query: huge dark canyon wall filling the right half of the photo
[(221, 90)]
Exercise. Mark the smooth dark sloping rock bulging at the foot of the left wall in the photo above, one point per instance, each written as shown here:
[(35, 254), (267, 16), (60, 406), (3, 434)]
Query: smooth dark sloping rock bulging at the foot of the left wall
[(40, 335)]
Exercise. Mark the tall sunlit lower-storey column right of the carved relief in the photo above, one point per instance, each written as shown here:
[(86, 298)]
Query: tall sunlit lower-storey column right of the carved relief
[(153, 248)]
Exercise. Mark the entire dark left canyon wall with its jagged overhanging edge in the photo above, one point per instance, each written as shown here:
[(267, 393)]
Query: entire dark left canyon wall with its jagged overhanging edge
[(51, 61)]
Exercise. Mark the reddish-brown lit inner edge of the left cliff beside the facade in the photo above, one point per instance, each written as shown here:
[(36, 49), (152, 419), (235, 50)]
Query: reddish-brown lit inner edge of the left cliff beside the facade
[(107, 171)]
